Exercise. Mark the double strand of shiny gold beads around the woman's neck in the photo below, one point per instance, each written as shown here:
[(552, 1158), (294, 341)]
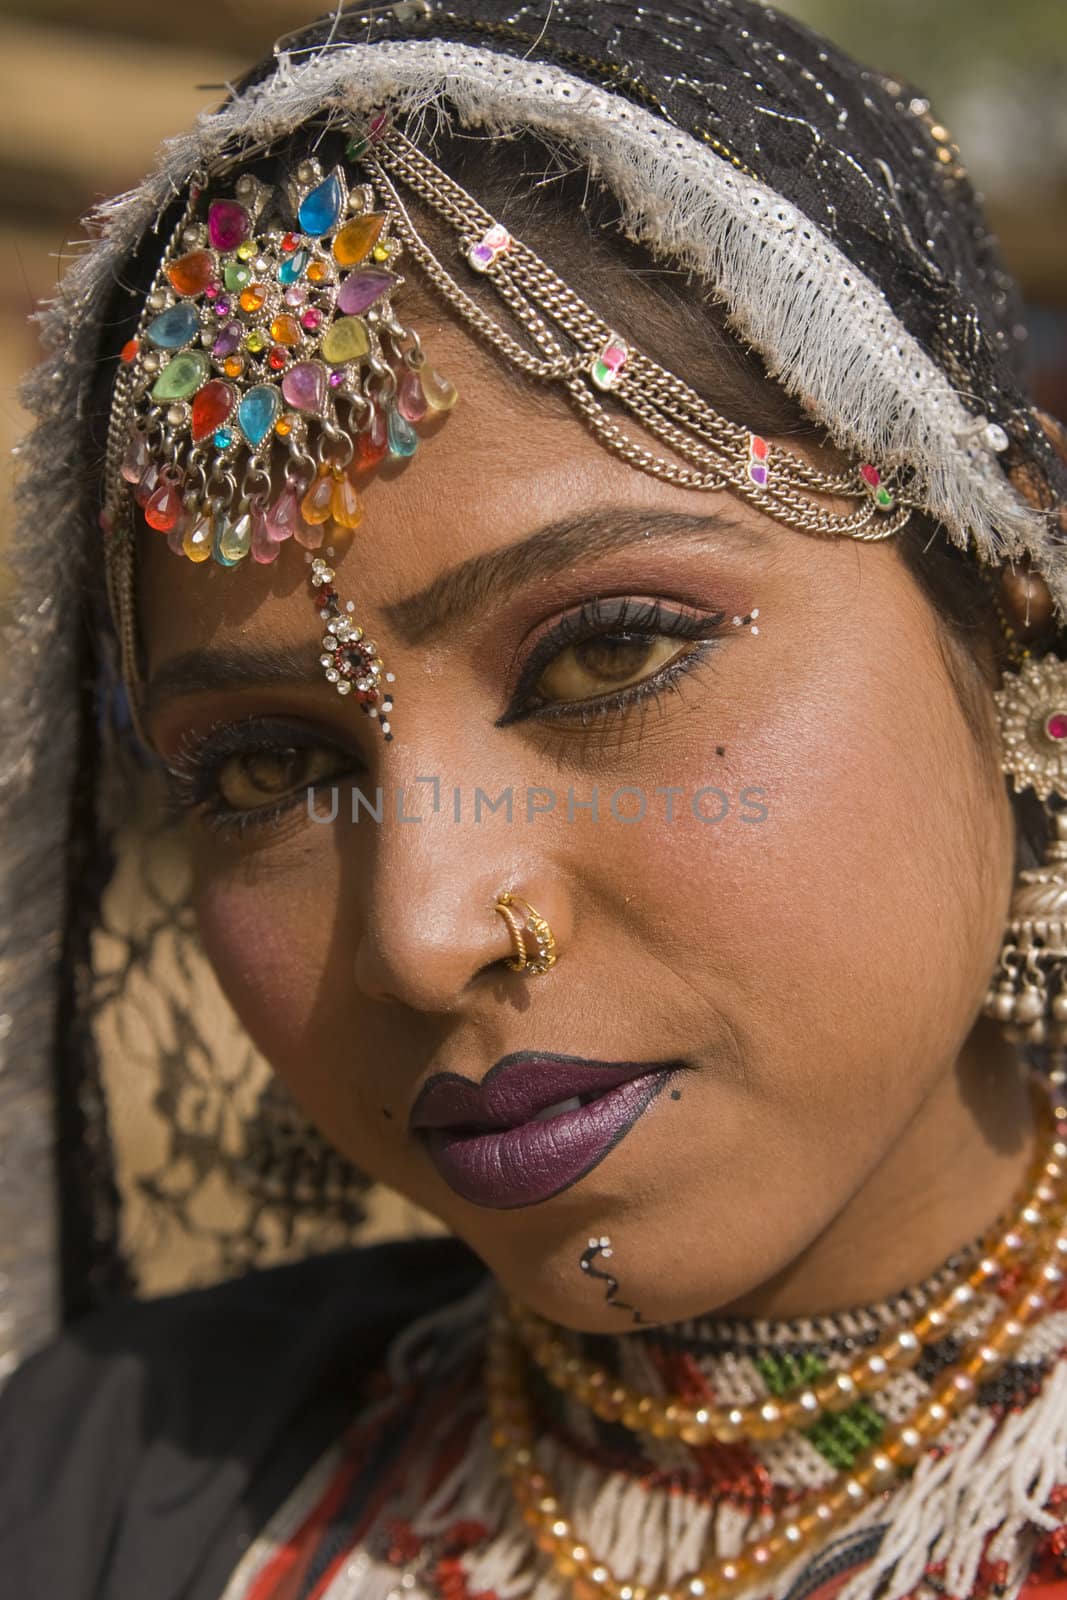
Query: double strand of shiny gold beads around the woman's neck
[(1042, 1222)]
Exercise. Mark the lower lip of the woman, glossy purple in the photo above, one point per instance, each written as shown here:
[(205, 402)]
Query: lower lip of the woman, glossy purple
[(522, 1166)]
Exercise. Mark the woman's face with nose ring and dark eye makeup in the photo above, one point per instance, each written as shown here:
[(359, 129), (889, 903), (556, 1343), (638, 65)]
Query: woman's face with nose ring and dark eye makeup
[(796, 937)]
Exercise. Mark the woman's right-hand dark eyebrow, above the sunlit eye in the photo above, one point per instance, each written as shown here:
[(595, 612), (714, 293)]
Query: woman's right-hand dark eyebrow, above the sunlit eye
[(471, 586)]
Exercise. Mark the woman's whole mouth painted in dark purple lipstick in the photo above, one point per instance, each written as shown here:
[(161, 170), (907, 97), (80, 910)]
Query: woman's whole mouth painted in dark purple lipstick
[(535, 1124)]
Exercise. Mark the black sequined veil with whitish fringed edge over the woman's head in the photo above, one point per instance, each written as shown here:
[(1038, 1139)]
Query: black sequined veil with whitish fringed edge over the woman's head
[(823, 204)]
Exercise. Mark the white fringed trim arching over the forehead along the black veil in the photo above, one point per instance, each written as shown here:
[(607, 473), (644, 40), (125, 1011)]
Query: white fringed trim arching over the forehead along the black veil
[(823, 329)]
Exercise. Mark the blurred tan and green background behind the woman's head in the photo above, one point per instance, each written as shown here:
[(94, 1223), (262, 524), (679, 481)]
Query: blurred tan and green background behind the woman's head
[(89, 92)]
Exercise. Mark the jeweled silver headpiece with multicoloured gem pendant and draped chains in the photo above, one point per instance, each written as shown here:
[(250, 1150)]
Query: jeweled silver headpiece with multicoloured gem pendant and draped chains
[(271, 340)]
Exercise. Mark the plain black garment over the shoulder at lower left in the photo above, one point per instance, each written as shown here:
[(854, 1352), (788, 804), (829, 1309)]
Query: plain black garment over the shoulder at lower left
[(145, 1449)]
